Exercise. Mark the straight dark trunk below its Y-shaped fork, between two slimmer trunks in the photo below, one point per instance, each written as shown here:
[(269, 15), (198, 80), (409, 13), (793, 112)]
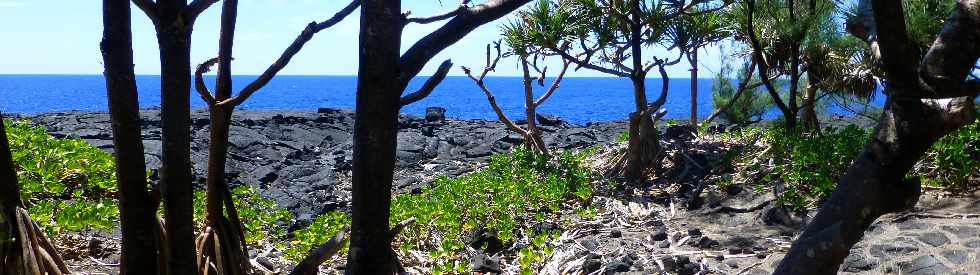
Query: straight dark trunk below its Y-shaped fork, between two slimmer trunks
[(175, 174)]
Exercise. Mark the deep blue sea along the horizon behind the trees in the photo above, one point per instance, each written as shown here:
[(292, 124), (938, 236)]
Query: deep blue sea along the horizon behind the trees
[(580, 99)]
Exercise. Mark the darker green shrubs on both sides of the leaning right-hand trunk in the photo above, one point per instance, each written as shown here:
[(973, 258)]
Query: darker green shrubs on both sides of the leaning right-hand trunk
[(803, 168)]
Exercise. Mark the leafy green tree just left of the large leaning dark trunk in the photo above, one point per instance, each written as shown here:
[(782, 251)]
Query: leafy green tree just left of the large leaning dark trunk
[(801, 41)]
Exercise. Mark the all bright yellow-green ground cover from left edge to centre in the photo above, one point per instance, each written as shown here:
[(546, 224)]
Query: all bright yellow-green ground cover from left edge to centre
[(71, 189)]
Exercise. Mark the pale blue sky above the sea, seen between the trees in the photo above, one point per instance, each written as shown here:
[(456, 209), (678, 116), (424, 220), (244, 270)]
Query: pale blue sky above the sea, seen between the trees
[(62, 37)]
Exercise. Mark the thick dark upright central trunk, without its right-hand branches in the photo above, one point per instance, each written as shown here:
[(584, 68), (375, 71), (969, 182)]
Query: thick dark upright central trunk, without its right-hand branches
[(375, 136)]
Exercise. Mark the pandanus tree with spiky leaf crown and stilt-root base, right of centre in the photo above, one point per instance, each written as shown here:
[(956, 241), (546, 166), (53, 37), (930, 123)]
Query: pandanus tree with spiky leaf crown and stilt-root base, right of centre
[(610, 37)]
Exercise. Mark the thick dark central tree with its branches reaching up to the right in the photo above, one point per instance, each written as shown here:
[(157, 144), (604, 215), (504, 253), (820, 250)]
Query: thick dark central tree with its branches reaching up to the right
[(383, 74)]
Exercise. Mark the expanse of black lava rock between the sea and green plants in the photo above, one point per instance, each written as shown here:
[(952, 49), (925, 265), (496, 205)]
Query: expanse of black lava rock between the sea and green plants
[(302, 160)]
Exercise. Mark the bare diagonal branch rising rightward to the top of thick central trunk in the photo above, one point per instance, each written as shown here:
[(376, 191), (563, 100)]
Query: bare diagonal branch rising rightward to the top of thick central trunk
[(288, 54)]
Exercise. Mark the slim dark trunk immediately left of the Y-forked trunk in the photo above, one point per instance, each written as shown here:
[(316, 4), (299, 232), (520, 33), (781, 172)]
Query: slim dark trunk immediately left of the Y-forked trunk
[(137, 216)]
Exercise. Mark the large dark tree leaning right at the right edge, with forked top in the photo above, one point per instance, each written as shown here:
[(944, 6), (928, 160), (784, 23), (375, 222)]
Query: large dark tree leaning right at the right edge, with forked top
[(929, 94)]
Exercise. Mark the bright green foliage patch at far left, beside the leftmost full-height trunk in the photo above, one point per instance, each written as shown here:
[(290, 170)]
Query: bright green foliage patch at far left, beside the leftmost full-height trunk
[(66, 184)]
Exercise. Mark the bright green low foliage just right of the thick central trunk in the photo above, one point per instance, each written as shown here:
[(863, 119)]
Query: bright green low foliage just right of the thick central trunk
[(513, 191)]
